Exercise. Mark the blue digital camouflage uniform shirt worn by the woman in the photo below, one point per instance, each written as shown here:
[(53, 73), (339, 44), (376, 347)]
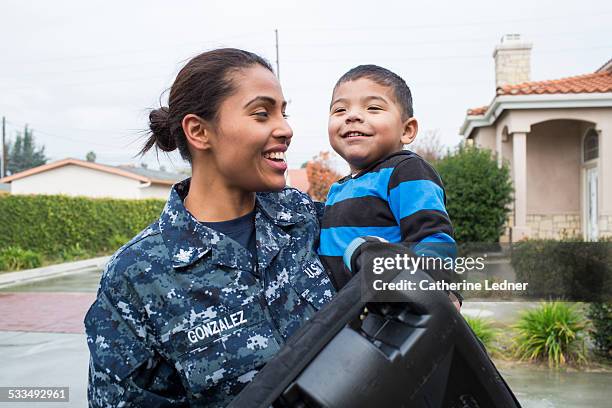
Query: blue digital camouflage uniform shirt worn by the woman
[(184, 318)]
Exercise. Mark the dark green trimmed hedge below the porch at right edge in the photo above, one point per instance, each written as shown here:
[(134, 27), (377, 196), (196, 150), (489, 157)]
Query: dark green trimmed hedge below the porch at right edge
[(568, 269)]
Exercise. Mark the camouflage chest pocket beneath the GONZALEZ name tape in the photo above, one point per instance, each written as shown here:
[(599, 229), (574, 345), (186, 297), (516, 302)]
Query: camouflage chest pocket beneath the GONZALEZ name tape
[(220, 356)]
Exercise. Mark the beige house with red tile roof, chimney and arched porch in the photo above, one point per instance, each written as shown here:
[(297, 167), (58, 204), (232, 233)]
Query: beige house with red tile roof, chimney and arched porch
[(556, 135)]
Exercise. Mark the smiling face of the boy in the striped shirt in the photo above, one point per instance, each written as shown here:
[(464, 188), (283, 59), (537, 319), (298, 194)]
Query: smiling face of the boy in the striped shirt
[(365, 123)]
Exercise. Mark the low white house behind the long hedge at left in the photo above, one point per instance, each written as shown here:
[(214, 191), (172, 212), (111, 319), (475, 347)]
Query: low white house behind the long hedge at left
[(82, 178)]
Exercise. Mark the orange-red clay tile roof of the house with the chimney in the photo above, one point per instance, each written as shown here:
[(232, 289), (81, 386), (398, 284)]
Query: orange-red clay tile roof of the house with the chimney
[(600, 81)]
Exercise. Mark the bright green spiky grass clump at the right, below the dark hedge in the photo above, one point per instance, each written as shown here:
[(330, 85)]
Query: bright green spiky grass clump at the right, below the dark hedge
[(552, 332)]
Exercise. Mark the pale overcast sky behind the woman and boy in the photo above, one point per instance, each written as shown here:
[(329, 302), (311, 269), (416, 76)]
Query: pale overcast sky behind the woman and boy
[(83, 74)]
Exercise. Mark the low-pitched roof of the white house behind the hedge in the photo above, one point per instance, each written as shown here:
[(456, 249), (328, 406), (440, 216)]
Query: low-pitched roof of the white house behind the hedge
[(142, 175)]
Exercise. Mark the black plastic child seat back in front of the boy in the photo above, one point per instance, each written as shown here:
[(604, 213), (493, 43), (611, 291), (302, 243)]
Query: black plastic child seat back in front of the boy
[(414, 350)]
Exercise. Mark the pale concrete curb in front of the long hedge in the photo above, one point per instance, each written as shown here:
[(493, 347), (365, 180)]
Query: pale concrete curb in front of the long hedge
[(46, 272)]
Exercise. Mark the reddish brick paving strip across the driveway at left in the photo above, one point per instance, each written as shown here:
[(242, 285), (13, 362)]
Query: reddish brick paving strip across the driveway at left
[(50, 312)]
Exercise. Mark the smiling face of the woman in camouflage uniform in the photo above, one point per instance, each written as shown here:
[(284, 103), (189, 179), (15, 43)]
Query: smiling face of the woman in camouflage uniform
[(252, 134)]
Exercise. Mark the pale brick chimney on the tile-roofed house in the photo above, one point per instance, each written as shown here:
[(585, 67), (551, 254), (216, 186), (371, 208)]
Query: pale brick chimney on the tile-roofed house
[(512, 61)]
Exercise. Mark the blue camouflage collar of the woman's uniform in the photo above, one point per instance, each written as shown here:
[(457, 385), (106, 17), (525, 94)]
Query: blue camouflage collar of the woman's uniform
[(189, 240)]
